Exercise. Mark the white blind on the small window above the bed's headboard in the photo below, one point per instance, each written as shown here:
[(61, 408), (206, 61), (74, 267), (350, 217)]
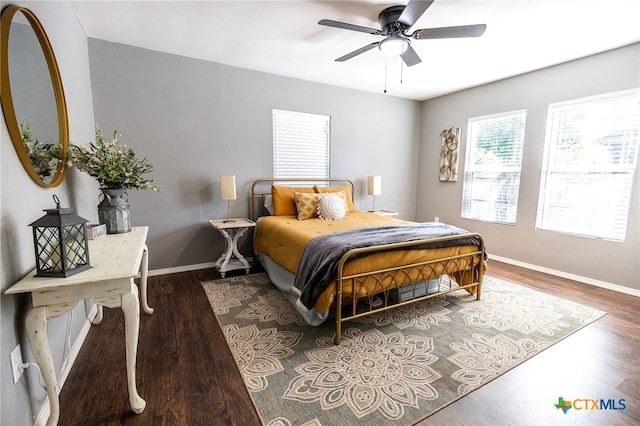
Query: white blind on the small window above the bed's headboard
[(300, 144)]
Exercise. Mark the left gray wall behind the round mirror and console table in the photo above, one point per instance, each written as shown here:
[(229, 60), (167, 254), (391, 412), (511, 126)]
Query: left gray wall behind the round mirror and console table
[(22, 201)]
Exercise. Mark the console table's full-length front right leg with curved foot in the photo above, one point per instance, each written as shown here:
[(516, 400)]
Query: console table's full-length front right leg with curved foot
[(130, 307)]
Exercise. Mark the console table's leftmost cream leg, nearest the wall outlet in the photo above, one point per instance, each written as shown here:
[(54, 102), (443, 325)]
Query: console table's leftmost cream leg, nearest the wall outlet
[(36, 327)]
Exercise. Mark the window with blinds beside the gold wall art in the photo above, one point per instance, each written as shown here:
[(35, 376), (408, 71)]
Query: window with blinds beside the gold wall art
[(492, 167)]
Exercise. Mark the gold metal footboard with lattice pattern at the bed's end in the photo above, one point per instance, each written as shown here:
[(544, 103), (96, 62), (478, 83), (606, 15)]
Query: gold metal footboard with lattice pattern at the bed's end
[(380, 290)]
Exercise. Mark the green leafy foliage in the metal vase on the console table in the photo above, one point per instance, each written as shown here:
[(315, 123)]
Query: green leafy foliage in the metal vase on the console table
[(113, 165)]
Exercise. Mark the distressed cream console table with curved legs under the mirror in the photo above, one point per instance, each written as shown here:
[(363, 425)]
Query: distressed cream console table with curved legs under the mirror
[(115, 260)]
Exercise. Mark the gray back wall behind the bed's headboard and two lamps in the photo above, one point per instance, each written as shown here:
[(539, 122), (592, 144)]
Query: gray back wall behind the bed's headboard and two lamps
[(196, 120)]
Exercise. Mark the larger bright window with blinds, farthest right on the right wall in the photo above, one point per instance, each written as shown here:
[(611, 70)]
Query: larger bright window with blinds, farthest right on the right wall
[(591, 151)]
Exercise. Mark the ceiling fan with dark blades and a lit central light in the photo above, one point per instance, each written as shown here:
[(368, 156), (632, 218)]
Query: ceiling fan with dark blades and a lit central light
[(395, 22)]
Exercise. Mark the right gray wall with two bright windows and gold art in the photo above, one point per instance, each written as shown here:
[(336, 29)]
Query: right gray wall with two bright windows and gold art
[(606, 261)]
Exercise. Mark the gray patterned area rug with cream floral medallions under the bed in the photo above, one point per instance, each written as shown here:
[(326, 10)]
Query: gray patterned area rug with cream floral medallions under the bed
[(397, 367)]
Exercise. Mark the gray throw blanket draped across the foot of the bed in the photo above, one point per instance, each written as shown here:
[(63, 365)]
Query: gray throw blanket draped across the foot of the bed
[(319, 263)]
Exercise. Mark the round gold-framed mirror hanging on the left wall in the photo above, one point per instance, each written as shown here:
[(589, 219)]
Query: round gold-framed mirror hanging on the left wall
[(32, 97)]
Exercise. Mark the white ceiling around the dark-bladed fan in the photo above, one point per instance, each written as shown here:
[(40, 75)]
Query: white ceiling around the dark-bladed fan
[(283, 37)]
